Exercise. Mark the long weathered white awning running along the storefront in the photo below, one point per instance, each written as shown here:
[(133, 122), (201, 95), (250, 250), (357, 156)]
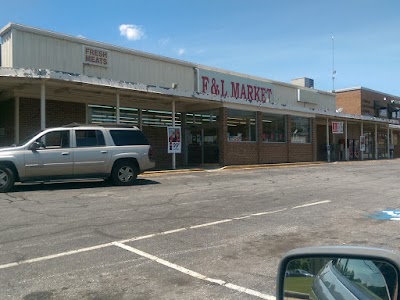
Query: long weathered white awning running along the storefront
[(80, 88)]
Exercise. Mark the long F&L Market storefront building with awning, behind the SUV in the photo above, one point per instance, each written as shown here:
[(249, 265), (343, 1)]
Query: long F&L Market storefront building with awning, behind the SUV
[(49, 79)]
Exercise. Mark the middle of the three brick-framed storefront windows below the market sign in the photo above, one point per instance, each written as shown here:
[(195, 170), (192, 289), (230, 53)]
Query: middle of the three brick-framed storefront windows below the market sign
[(273, 128)]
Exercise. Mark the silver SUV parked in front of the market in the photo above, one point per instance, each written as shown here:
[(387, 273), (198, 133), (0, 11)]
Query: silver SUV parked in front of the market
[(117, 152)]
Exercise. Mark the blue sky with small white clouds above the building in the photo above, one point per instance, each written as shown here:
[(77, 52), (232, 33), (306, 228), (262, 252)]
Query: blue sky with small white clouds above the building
[(279, 40)]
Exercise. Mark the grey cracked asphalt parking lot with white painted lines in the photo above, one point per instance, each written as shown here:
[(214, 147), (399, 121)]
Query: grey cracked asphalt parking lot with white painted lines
[(215, 234)]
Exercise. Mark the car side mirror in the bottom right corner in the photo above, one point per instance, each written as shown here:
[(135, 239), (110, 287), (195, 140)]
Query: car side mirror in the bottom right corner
[(339, 272)]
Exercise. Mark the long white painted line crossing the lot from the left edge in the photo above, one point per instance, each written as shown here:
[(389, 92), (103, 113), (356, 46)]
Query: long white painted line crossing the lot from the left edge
[(57, 255)]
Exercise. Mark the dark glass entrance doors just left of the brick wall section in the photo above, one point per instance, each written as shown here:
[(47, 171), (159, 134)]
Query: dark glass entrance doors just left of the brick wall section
[(202, 146)]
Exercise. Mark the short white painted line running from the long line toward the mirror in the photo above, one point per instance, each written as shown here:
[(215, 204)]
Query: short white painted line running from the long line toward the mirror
[(193, 273)]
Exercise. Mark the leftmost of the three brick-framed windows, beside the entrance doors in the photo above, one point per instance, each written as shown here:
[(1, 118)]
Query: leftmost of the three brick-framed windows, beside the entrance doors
[(242, 126)]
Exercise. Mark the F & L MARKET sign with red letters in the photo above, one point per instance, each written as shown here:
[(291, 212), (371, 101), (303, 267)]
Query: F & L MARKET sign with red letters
[(231, 86)]
